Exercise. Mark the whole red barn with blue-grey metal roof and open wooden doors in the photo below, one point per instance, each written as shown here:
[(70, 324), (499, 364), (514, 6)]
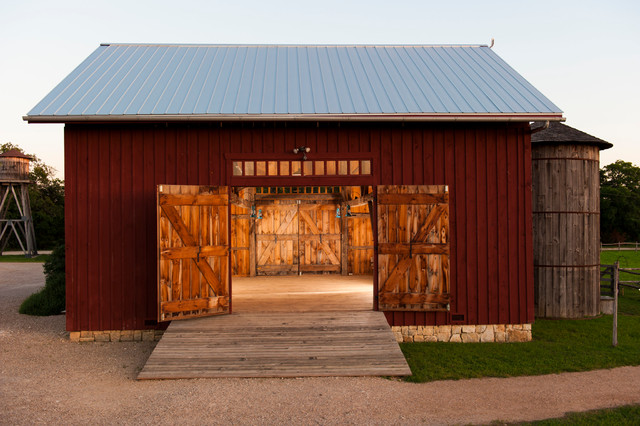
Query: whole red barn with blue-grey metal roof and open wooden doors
[(189, 165)]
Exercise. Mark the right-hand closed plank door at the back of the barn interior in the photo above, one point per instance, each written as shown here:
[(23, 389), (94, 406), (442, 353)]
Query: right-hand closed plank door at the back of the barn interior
[(320, 238)]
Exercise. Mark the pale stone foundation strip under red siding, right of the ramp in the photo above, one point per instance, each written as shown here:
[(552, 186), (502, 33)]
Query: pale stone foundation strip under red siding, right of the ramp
[(463, 333)]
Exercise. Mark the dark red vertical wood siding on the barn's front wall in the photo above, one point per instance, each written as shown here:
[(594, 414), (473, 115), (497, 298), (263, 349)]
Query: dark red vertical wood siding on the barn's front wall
[(112, 171)]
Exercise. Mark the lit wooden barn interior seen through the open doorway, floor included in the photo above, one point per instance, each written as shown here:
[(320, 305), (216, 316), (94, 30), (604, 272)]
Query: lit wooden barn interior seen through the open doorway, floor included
[(302, 248)]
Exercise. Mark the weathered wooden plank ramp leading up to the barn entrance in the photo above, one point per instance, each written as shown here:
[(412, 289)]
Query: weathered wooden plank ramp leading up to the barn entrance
[(278, 345)]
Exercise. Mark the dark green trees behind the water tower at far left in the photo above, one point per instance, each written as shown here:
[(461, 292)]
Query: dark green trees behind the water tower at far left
[(47, 202)]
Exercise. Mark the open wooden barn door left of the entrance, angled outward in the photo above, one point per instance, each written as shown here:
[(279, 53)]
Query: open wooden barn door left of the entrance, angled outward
[(193, 242)]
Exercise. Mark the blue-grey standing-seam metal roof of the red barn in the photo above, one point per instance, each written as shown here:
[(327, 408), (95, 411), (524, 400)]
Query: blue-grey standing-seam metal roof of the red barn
[(225, 82)]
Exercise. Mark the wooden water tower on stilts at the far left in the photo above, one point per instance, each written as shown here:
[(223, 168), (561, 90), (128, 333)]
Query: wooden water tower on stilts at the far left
[(14, 182)]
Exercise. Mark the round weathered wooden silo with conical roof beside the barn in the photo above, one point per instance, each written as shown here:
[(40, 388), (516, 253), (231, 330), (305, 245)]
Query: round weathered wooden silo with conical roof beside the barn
[(566, 221)]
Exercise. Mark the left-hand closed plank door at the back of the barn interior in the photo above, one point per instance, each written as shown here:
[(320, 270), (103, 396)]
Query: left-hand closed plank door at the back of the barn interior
[(277, 239)]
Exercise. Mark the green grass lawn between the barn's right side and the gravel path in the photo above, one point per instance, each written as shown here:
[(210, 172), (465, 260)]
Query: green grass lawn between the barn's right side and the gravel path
[(557, 346)]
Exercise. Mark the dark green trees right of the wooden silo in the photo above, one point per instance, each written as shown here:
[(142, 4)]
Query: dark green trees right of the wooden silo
[(620, 202)]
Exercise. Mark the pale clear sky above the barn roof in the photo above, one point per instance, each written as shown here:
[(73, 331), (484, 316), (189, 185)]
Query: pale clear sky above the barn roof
[(583, 55)]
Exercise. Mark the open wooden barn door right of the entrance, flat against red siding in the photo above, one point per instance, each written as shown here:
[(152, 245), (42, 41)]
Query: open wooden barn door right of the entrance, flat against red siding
[(413, 248)]
